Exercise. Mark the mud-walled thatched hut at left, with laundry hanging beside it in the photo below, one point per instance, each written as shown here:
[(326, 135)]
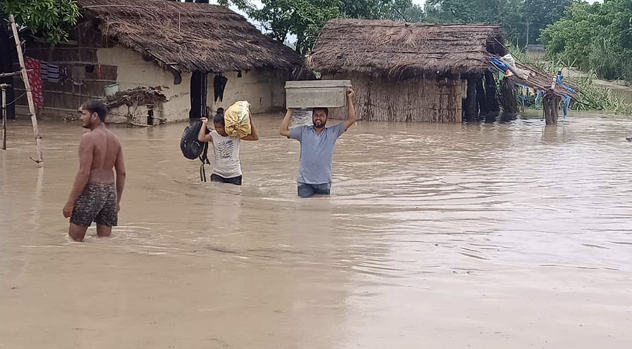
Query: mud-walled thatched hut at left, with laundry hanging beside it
[(169, 61)]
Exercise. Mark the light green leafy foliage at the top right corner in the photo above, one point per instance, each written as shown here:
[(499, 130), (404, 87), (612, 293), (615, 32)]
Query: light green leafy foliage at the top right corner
[(594, 37)]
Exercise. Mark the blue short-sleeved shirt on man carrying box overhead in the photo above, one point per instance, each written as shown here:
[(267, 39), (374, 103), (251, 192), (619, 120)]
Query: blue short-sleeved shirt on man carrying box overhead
[(317, 152)]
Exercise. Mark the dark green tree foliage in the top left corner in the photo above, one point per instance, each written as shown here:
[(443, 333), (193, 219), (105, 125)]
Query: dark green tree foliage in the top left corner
[(50, 19)]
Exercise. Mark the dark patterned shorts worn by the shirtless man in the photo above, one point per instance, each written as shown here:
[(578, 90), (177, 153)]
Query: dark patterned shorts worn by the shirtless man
[(97, 203)]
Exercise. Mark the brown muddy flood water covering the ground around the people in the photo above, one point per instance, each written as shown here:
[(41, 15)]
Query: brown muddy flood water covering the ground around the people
[(435, 236)]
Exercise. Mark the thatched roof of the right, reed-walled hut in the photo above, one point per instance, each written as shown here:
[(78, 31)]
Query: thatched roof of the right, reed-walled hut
[(401, 49)]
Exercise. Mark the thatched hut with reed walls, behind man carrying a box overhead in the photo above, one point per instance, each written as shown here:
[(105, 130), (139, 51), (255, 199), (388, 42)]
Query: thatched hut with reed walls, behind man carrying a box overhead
[(414, 71)]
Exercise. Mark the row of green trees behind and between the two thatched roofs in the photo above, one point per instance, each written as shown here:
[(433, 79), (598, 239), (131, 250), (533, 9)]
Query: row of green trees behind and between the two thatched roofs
[(521, 20)]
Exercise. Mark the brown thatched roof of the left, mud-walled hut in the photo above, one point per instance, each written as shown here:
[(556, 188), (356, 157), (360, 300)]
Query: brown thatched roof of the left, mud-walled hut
[(188, 36)]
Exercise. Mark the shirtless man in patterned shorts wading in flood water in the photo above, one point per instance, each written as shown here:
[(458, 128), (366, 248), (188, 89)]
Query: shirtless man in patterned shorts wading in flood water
[(94, 196)]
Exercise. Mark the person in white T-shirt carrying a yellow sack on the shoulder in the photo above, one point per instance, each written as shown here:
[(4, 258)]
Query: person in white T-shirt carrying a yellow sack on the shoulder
[(230, 129)]
